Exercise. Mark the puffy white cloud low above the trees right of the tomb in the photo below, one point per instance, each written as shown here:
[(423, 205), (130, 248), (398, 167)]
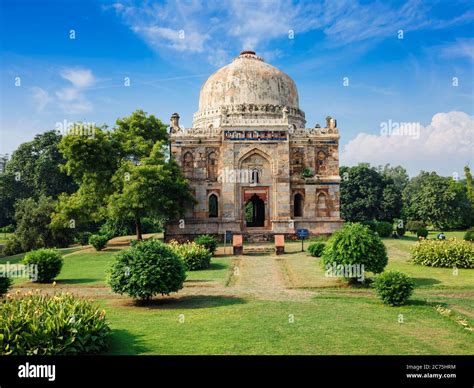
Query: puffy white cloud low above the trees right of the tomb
[(445, 145)]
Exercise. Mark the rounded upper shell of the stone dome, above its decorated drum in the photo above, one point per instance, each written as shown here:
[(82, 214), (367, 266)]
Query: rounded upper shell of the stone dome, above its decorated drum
[(248, 80)]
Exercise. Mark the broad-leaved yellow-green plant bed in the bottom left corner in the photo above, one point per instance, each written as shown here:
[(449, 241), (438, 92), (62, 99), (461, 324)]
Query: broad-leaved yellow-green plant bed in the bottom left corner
[(37, 324)]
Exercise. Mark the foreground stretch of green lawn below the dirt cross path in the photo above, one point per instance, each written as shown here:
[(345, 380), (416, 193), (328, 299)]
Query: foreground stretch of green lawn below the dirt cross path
[(325, 325)]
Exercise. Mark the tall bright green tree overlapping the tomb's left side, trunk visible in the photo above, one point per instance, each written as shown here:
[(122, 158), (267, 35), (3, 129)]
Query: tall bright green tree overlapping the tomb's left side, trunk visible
[(123, 173)]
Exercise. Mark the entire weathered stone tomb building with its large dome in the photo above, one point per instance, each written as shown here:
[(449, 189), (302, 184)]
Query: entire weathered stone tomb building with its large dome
[(254, 167)]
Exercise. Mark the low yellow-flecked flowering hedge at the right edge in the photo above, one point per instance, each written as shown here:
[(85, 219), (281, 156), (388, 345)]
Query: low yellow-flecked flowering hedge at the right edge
[(444, 253)]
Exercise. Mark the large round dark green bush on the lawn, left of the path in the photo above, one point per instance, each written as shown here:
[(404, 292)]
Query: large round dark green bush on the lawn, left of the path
[(147, 269)]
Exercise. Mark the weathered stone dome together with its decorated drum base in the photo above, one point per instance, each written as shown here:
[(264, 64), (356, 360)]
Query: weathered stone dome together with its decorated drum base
[(248, 91)]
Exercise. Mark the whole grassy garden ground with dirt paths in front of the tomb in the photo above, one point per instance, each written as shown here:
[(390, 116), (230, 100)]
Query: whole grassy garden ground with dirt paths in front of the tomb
[(263, 304)]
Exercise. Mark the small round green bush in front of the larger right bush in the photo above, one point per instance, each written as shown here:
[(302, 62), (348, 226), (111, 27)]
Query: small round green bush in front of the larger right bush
[(393, 287)]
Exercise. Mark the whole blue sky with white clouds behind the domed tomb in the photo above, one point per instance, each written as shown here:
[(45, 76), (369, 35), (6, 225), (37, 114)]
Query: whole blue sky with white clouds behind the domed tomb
[(168, 49)]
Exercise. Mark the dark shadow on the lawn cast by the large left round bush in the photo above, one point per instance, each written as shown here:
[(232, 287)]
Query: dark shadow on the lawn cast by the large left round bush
[(189, 302)]
